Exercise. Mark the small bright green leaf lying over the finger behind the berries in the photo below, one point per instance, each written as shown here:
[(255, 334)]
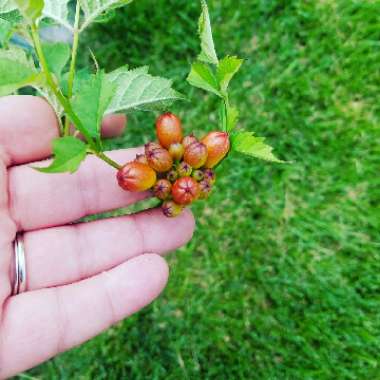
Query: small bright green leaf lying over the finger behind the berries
[(69, 152)]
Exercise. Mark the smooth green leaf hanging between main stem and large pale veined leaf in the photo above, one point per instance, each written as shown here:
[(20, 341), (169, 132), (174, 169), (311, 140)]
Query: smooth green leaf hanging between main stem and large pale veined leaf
[(92, 99)]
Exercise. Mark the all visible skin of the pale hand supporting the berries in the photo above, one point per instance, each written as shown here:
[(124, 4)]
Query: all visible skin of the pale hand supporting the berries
[(81, 278)]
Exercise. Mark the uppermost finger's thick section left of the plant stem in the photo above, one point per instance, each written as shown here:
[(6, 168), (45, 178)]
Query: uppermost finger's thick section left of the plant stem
[(27, 126)]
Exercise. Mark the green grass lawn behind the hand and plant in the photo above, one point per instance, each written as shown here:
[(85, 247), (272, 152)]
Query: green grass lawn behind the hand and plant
[(282, 278)]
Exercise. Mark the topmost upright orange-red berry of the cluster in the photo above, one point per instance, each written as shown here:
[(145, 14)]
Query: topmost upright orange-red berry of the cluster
[(169, 130)]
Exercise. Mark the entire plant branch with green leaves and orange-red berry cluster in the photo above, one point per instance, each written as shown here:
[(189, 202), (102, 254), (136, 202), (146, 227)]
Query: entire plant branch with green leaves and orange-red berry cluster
[(178, 169)]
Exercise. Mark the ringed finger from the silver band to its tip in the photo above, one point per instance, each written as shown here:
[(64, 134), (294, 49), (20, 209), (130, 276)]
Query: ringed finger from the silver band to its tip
[(62, 255)]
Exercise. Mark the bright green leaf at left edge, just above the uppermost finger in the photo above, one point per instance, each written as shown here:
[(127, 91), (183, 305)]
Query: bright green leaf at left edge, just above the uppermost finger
[(16, 71)]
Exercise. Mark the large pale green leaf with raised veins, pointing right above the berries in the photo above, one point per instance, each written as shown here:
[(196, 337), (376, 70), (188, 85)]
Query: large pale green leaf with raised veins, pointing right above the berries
[(136, 89)]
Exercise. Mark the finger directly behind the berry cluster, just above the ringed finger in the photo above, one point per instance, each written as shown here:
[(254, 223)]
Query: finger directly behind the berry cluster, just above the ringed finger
[(39, 200)]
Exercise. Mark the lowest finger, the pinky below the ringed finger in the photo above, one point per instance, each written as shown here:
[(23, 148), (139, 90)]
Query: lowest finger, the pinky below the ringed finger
[(38, 325)]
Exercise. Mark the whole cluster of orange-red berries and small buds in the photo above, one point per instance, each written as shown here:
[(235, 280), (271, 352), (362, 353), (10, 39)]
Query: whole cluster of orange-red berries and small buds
[(178, 169)]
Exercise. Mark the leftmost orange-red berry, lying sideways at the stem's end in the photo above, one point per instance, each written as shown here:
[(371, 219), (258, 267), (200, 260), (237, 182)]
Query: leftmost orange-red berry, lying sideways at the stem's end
[(136, 176)]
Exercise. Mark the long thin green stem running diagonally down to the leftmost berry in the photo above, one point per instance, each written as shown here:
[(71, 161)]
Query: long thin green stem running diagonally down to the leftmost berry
[(64, 102)]
